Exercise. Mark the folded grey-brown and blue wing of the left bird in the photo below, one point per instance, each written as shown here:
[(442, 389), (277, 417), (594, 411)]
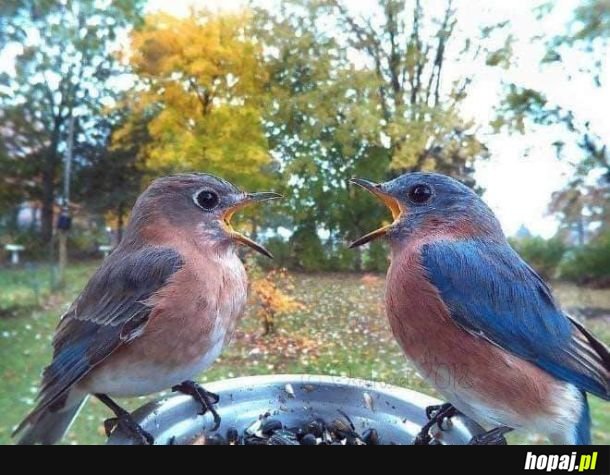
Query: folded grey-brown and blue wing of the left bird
[(112, 310)]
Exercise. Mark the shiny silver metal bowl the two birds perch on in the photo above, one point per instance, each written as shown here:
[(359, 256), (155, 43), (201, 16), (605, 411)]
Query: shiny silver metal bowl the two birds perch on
[(396, 413)]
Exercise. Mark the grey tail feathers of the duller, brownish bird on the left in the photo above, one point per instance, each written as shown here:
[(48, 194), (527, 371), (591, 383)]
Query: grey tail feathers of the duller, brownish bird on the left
[(48, 424)]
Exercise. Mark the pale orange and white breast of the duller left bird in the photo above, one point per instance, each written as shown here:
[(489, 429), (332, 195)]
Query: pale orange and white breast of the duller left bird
[(192, 318)]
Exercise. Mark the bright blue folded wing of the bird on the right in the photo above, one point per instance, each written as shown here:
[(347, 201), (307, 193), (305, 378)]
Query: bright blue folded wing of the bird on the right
[(490, 291)]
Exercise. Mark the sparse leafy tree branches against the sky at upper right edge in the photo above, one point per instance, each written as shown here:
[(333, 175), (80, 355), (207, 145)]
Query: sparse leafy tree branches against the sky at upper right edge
[(583, 206)]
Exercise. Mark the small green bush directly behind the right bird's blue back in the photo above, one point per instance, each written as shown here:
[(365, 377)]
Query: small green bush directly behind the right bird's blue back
[(544, 255)]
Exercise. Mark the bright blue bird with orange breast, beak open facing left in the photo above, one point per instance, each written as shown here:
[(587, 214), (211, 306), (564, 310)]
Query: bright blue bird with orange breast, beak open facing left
[(478, 323)]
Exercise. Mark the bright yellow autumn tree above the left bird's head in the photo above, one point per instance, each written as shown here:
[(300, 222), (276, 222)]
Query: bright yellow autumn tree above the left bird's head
[(200, 80)]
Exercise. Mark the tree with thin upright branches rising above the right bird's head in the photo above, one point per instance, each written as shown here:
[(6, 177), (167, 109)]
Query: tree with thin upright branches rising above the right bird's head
[(418, 112)]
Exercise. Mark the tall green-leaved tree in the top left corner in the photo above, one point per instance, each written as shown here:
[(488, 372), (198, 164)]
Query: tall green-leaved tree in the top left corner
[(64, 67)]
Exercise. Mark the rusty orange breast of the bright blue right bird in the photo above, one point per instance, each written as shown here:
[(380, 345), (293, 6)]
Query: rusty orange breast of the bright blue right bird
[(459, 364)]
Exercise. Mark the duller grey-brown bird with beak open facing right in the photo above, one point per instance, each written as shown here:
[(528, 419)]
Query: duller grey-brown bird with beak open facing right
[(156, 313)]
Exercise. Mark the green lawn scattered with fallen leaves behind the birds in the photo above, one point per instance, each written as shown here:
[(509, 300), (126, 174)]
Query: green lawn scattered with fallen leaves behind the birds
[(340, 331)]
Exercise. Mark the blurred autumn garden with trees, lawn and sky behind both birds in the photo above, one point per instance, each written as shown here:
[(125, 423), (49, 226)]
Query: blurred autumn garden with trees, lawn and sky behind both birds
[(98, 97)]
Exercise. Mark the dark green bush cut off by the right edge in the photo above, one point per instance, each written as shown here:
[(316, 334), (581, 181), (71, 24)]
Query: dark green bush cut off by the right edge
[(589, 264)]
